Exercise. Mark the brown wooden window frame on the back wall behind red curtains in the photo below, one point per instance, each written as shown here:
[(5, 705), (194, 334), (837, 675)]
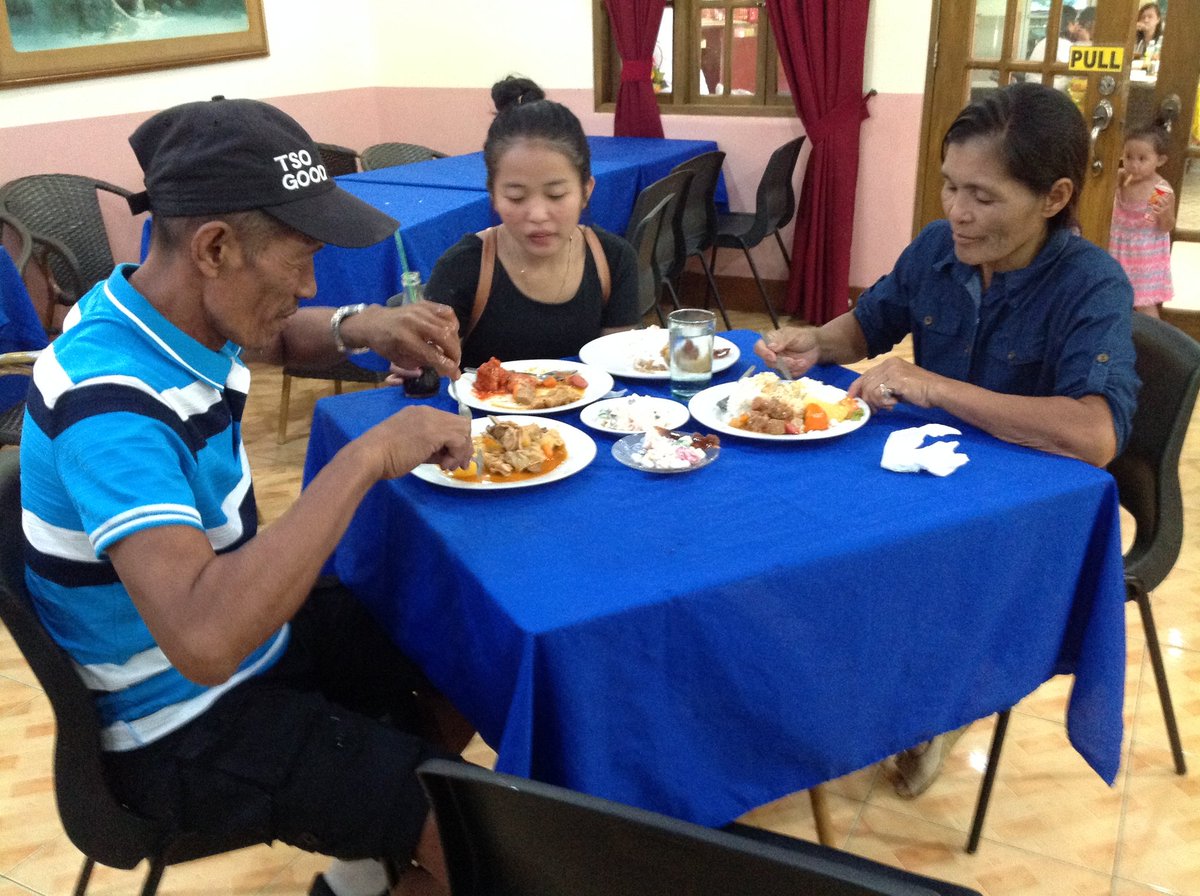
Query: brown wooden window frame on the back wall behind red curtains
[(686, 58)]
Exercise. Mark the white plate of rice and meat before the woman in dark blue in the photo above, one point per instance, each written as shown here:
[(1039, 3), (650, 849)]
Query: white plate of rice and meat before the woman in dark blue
[(767, 407)]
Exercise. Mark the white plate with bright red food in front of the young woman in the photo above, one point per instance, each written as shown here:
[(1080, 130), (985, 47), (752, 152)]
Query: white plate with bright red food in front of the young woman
[(532, 387)]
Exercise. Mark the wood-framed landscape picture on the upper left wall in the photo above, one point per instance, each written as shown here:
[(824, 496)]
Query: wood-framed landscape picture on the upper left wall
[(45, 41)]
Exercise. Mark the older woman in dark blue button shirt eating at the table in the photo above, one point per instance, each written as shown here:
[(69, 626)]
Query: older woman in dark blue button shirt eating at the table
[(1019, 327)]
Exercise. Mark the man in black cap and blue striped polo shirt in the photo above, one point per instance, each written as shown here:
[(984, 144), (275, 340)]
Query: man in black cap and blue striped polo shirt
[(230, 699)]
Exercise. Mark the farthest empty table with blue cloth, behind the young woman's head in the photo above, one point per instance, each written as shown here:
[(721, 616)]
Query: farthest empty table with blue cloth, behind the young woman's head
[(622, 167)]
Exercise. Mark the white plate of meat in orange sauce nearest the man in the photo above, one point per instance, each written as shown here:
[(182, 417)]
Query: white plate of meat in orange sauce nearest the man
[(518, 453)]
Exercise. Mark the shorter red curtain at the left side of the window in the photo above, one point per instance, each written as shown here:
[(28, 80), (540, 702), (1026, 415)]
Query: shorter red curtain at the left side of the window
[(635, 27)]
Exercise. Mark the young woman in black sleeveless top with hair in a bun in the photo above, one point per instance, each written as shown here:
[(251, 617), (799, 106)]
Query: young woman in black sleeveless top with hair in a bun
[(548, 291)]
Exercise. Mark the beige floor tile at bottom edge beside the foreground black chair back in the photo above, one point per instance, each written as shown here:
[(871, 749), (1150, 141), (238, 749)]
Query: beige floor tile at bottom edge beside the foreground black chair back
[(997, 870)]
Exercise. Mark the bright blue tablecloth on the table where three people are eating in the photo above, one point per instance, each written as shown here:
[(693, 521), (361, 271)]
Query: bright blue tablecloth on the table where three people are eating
[(700, 645)]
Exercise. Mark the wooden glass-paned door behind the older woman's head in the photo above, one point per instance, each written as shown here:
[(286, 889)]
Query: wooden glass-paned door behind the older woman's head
[(982, 45)]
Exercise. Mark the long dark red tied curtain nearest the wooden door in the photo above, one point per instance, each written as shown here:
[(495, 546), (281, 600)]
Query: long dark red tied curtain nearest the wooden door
[(823, 47)]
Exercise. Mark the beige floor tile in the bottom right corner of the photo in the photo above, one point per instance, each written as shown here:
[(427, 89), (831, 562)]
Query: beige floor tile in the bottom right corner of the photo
[(1162, 823)]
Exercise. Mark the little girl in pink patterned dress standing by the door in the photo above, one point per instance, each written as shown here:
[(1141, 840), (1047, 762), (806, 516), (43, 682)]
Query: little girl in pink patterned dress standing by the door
[(1143, 219)]
